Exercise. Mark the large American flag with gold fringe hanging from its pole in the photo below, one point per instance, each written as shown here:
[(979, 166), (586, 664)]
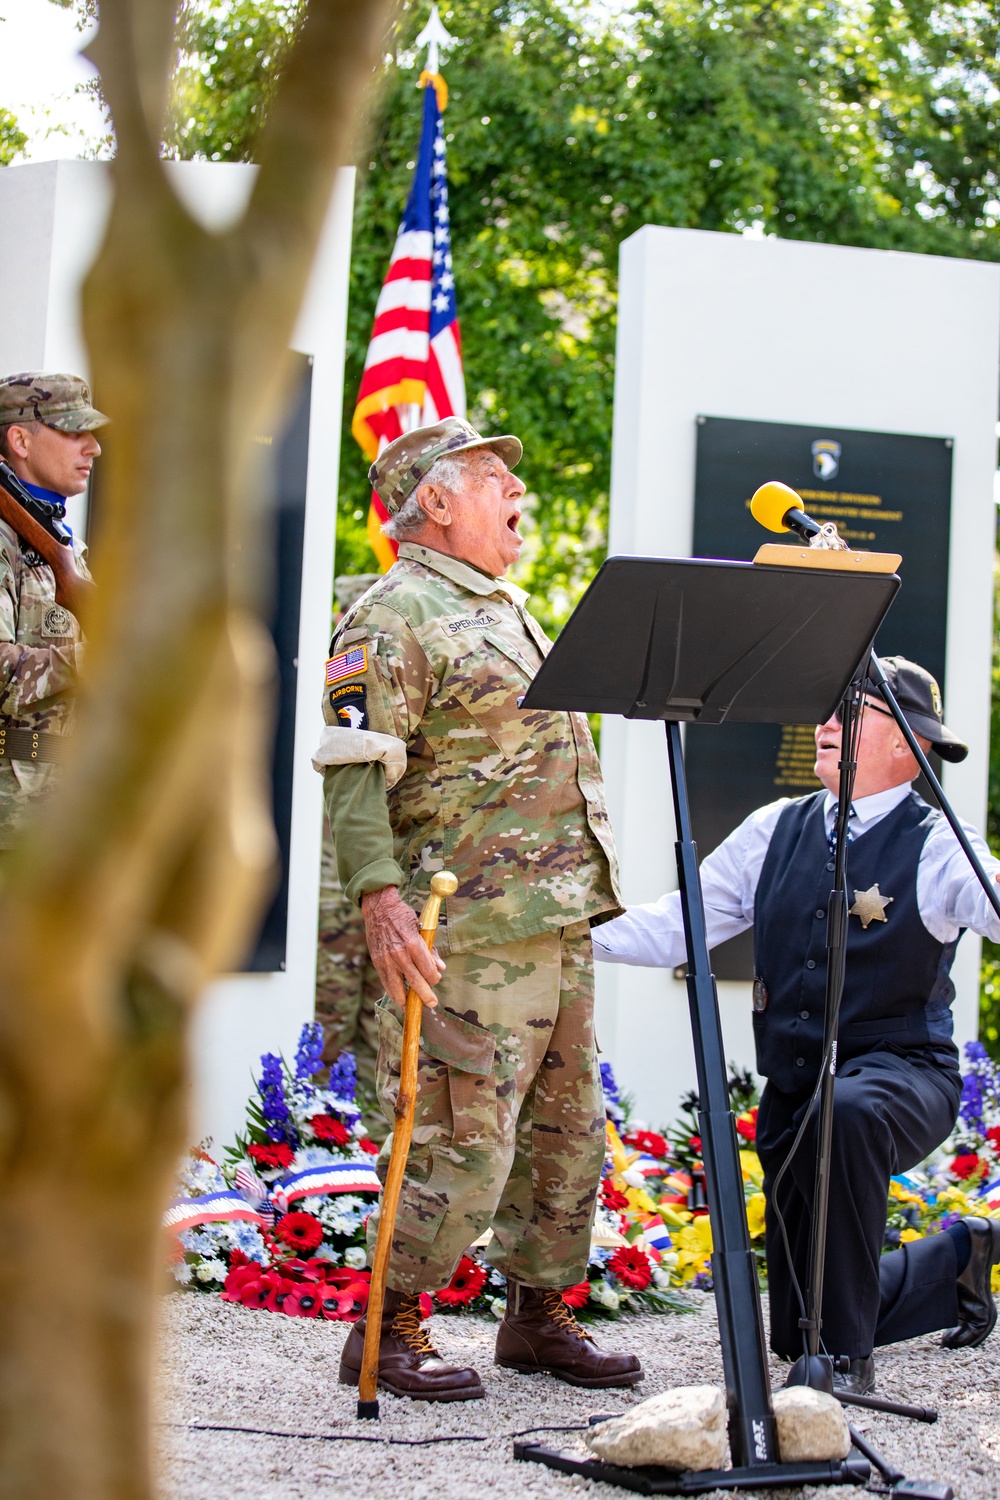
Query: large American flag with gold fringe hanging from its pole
[(413, 370)]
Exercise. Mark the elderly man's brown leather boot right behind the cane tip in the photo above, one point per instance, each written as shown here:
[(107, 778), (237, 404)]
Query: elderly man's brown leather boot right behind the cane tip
[(409, 1364)]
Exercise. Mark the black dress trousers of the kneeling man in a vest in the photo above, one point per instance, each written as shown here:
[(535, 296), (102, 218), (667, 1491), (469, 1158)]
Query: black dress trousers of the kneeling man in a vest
[(890, 1112)]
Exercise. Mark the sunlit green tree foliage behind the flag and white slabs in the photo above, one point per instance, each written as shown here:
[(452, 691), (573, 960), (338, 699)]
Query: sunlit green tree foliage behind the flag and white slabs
[(569, 128)]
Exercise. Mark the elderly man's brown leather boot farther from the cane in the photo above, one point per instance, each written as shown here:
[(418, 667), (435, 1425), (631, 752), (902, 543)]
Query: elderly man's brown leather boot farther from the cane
[(540, 1336)]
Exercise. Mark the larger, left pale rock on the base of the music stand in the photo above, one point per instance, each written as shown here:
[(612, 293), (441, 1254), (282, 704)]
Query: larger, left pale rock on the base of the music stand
[(683, 1429)]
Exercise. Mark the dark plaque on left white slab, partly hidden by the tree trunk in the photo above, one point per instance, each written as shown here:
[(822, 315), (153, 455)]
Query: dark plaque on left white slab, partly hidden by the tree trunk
[(289, 502)]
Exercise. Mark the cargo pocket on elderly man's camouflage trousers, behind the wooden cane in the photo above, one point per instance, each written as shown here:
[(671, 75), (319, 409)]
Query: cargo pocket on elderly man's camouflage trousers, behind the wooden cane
[(457, 1088)]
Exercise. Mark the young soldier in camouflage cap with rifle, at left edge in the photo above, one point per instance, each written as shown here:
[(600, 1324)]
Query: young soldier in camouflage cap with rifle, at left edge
[(47, 436)]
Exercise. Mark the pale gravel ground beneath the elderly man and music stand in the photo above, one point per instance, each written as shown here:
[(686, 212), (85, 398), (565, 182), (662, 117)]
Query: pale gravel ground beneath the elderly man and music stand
[(230, 1366)]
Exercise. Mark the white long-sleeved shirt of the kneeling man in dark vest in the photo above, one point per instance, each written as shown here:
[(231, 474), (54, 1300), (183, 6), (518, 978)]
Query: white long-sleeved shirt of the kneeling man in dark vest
[(948, 893)]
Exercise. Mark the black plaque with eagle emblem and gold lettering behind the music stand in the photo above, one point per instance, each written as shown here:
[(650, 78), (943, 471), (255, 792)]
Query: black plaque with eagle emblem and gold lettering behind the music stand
[(888, 493)]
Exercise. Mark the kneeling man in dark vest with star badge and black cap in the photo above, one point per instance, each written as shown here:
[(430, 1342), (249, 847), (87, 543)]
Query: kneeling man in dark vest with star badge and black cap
[(899, 1085)]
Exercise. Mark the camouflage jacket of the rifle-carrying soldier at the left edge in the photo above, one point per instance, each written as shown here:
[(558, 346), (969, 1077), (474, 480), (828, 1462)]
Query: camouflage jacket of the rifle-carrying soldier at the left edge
[(40, 658)]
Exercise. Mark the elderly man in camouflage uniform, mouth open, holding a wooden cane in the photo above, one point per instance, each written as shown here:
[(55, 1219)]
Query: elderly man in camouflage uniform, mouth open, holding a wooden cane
[(430, 763)]
